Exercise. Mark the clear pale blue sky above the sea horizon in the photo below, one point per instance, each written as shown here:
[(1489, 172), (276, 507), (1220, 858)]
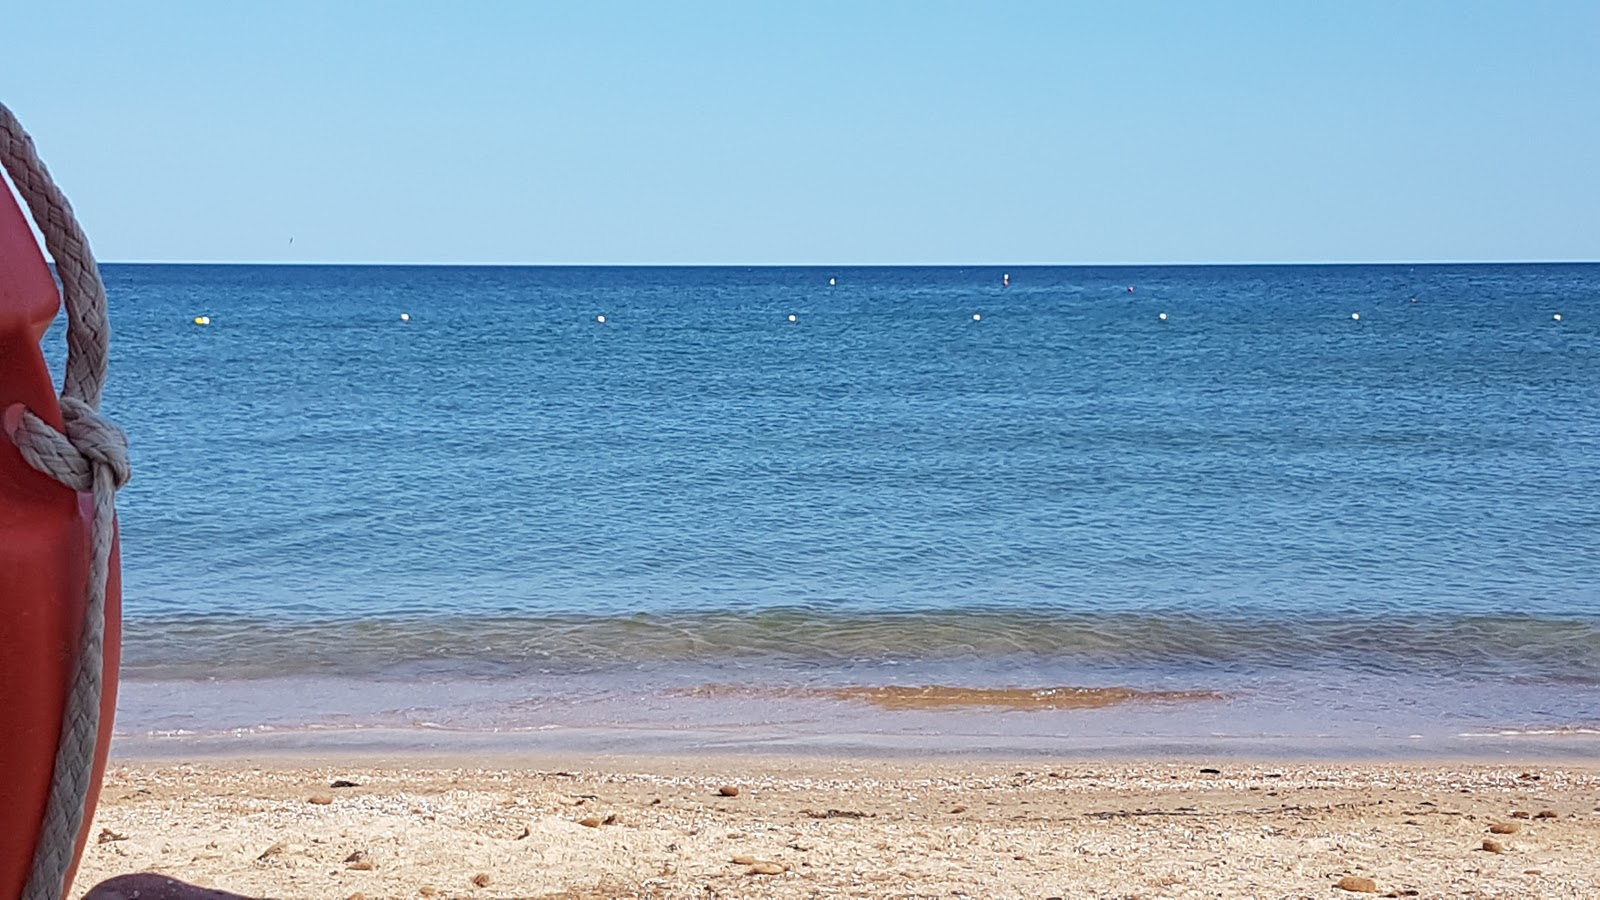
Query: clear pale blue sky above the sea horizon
[(818, 134)]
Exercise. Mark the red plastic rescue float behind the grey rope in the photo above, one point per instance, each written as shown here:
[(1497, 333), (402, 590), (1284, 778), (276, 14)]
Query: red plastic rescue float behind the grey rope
[(44, 571)]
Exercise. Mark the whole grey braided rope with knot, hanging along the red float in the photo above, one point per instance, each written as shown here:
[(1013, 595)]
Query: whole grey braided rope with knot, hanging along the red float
[(90, 457)]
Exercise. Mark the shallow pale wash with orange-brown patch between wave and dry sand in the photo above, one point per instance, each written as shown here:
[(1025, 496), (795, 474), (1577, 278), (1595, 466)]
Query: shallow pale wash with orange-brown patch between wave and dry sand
[(911, 718)]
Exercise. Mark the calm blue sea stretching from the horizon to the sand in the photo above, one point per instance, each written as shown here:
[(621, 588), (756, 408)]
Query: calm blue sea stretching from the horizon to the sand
[(1180, 510)]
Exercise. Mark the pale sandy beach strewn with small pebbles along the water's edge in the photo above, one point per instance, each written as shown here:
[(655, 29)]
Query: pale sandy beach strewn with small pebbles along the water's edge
[(812, 827)]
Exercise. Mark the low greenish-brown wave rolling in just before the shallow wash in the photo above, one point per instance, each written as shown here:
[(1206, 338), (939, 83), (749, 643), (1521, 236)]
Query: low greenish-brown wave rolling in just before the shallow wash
[(1559, 651)]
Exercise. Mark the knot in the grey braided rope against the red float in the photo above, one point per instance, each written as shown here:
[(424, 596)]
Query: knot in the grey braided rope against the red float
[(90, 441)]
